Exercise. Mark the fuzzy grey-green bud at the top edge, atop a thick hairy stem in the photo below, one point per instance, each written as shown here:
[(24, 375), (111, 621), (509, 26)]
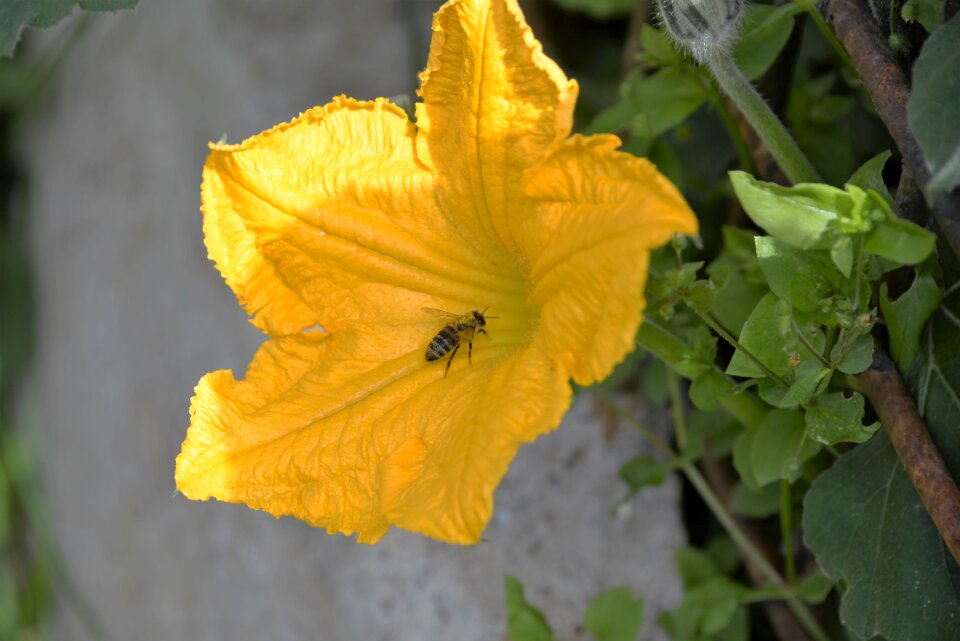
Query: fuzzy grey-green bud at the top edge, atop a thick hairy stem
[(707, 28)]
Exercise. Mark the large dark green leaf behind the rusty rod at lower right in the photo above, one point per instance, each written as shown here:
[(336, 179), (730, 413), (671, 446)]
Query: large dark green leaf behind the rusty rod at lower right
[(887, 550)]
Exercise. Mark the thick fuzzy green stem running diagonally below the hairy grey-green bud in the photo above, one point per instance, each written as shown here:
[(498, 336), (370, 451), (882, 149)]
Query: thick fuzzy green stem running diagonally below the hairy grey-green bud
[(782, 146)]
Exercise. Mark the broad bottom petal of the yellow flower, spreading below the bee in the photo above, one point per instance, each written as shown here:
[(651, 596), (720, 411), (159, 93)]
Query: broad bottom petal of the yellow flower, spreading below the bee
[(355, 431)]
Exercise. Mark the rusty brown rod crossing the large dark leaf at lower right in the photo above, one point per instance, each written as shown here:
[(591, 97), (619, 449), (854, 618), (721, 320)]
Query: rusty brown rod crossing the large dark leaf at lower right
[(915, 447)]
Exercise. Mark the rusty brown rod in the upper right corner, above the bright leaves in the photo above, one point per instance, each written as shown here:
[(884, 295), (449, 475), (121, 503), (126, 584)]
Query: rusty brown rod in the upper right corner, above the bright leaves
[(889, 88)]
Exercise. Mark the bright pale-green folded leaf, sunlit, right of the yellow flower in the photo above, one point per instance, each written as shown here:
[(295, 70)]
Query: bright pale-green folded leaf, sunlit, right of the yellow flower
[(798, 215)]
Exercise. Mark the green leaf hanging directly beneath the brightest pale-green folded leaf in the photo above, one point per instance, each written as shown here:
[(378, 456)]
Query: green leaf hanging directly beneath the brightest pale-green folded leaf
[(803, 278)]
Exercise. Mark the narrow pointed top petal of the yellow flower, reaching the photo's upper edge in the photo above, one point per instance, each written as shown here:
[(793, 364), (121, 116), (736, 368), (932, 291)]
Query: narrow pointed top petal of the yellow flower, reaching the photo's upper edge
[(492, 104)]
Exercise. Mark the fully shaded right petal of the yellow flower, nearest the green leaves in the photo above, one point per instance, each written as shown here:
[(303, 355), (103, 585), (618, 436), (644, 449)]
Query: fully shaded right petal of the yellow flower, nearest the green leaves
[(600, 212)]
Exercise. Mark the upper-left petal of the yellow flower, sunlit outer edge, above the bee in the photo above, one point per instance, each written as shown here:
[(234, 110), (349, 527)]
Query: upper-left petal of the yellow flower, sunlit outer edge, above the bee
[(330, 219)]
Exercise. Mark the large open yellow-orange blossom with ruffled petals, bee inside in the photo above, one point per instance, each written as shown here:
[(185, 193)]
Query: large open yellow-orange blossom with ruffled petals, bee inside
[(337, 229)]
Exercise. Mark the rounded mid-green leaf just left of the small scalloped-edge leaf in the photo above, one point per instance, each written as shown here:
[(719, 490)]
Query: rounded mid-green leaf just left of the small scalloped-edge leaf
[(779, 447)]
